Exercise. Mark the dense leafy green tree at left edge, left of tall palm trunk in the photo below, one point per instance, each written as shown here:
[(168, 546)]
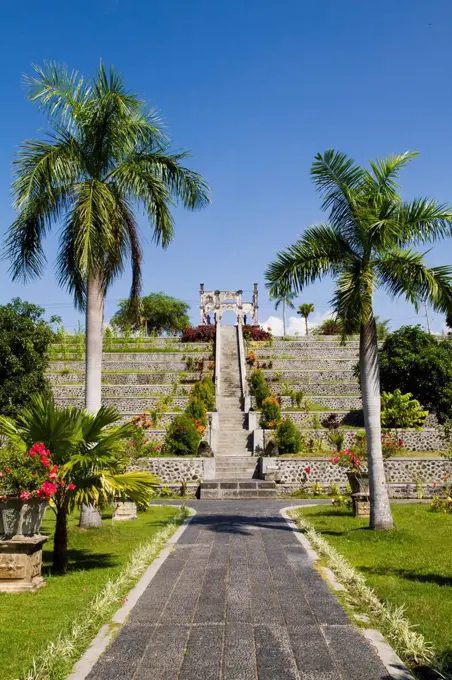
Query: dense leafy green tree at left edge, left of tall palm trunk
[(24, 343)]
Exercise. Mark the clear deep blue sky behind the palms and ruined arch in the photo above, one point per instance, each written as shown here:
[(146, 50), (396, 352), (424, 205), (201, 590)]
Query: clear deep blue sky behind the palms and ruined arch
[(254, 89)]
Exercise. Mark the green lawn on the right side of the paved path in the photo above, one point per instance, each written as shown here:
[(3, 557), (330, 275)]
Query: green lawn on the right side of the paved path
[(410, 565)]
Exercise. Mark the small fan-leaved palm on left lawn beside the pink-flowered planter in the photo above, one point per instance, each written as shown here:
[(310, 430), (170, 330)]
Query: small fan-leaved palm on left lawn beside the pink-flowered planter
[(90, 453)]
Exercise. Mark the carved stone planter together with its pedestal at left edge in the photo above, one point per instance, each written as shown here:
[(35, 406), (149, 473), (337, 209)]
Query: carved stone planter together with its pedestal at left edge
[(21, 545)]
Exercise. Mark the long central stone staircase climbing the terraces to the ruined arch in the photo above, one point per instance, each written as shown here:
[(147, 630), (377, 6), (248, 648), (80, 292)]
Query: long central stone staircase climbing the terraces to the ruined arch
[(234, 461)]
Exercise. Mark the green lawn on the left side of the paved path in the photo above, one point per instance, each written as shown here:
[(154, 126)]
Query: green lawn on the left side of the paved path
[(29, 621)]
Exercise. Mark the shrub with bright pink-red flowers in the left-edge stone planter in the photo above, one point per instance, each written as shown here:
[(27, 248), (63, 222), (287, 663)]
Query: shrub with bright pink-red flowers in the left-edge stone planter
[(28, 475)]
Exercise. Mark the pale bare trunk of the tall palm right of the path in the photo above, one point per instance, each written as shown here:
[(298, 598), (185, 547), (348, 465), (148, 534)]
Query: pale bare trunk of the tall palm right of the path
[(380, 509)]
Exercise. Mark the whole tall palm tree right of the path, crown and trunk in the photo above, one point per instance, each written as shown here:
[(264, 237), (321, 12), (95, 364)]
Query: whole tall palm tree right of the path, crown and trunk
[(366, 244)]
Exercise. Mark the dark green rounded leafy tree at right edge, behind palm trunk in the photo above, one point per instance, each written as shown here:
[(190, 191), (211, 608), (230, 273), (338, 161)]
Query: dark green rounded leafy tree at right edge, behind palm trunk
[(415, 361)]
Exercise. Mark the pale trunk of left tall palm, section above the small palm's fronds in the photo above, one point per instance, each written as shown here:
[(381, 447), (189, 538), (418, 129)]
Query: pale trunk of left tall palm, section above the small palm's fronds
[(93, 360)]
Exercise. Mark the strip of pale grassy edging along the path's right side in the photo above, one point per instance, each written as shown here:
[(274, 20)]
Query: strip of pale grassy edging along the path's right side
[(410, 645)]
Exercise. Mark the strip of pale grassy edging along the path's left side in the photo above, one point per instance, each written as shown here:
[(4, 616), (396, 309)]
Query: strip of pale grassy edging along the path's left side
[(58, 658)]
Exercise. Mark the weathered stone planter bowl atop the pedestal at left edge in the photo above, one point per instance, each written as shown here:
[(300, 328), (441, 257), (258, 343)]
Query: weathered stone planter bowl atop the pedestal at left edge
[(21, 519)]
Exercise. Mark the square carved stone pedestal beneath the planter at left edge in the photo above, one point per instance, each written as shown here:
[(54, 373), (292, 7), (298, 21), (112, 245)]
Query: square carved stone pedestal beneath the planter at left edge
[(21, 564)]
